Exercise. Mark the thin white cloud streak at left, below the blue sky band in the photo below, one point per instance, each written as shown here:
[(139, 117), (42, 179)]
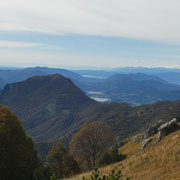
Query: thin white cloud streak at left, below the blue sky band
[(17, 44)]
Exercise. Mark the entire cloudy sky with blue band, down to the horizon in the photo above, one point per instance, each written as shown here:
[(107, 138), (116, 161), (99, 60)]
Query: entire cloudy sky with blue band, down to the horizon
[(90, 33)]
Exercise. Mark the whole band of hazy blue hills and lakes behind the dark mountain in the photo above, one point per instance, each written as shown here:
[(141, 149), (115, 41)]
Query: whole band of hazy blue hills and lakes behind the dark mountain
[(119, 85)]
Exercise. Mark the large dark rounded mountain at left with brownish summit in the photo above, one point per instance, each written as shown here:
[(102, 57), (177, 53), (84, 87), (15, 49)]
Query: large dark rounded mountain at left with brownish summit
[(46, 104)]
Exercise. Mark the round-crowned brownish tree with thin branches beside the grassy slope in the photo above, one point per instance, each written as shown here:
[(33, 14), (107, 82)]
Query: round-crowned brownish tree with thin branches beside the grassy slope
[(92, 139)]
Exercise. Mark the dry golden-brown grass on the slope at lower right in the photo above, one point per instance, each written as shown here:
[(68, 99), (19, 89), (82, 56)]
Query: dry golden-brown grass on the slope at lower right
[(157, 162)]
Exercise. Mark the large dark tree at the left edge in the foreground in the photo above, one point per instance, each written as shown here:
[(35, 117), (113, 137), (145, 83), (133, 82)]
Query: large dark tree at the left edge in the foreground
[(18, 156)]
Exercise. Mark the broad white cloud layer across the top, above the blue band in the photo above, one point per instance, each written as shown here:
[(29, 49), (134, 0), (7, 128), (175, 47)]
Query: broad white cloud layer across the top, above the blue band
[(146, 19)]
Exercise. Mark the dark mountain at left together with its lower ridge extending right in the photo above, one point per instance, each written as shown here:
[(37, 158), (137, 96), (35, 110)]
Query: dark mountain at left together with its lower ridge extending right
[(53, 108)]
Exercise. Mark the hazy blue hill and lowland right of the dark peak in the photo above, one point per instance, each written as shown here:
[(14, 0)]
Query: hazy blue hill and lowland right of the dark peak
[(135, 89)]
